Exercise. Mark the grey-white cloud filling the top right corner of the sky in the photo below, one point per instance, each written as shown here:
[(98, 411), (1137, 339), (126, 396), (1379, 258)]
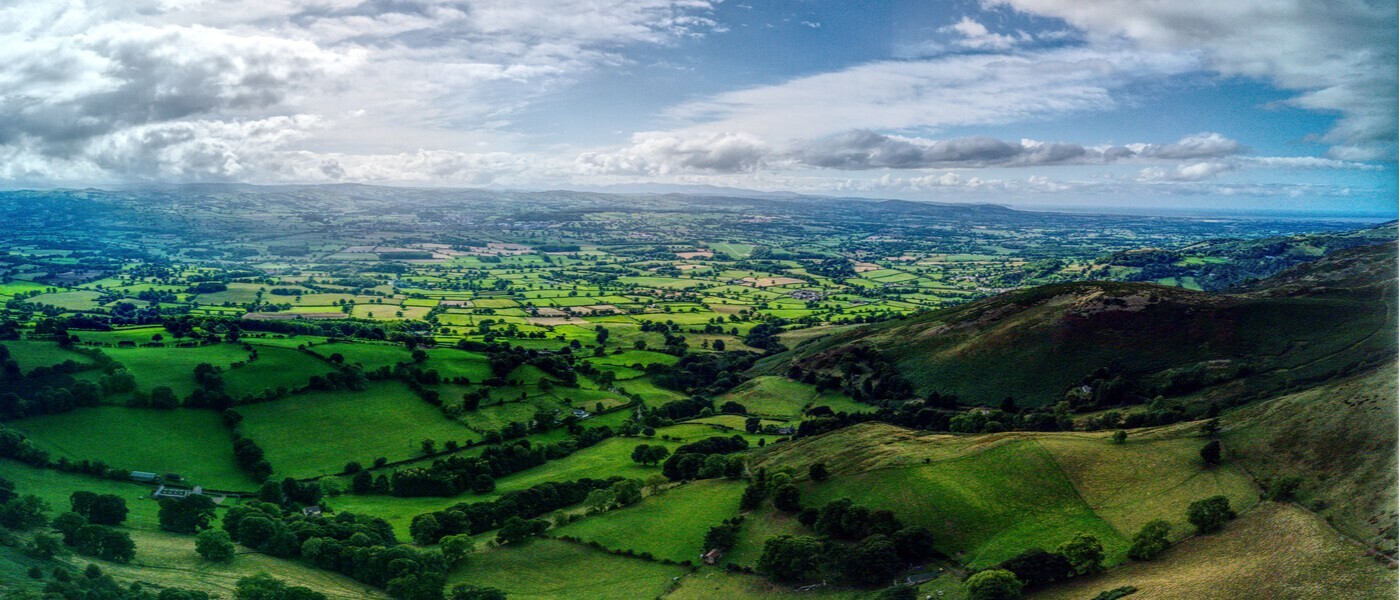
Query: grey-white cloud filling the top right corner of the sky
[(1339, 55)]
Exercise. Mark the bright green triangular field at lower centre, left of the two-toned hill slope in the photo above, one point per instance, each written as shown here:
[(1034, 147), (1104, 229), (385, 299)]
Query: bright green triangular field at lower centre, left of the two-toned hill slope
[(670, 525)]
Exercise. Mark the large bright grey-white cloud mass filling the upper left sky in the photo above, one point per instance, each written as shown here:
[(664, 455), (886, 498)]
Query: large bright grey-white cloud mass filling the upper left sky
[(213, 90)]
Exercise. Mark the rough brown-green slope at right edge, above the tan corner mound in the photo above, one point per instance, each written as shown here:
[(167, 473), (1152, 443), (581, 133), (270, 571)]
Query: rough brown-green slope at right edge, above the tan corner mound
[(1340, 438)]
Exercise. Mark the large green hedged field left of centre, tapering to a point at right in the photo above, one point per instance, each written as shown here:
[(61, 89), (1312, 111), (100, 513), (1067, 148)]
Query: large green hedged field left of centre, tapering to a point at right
[(318, 433)]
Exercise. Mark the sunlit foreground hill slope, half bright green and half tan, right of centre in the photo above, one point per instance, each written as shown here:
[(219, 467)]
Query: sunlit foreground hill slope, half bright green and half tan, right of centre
[(989, 497)]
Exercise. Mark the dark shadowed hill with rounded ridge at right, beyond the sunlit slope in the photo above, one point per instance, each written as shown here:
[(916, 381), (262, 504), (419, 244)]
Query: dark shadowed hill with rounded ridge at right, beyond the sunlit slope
[(1058, 335)]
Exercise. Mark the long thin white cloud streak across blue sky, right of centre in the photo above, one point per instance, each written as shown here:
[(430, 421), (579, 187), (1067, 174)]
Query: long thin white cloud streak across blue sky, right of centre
[(933, 94)]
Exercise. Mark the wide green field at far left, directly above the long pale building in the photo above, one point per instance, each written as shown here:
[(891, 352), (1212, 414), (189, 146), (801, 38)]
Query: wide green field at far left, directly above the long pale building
[(190, 443)]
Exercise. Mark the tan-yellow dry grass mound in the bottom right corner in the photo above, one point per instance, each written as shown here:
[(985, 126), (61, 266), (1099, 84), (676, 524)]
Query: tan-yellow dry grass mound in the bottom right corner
[(1275, 552)]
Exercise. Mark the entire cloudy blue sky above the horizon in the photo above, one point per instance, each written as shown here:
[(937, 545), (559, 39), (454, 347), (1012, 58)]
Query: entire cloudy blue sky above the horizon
[(1242, 106)]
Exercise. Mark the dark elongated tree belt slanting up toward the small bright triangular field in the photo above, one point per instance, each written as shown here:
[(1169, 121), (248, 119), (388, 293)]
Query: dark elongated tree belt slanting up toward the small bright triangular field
[(524, 504)]
